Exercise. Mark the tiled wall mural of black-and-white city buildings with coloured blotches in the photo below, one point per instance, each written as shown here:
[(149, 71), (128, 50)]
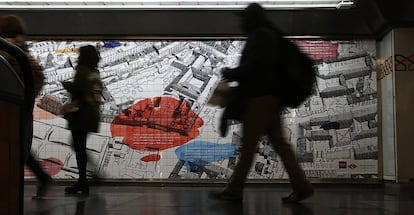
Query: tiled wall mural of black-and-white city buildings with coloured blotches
[(156, 123)]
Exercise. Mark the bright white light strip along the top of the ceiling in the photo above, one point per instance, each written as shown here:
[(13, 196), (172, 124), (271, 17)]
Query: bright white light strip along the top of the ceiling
[(173, 4)]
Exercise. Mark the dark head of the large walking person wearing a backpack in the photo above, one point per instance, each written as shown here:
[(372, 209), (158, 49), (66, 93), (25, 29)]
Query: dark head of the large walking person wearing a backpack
[(252, 17)]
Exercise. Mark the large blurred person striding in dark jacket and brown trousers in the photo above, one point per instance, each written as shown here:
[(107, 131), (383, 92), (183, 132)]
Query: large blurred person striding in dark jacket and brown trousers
[(261, 99)]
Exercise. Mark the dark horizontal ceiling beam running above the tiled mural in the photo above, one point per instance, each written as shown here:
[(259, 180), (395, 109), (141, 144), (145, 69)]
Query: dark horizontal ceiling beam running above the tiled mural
[(369, 19)]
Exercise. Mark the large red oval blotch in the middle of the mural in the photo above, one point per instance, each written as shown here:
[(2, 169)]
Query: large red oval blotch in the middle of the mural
[(156, 124)]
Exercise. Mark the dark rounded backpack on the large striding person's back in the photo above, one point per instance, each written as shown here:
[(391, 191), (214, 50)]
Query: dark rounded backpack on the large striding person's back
[(297, 75)]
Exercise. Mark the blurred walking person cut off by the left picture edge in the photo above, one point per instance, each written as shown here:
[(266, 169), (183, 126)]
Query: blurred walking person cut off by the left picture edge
[(12, 29)]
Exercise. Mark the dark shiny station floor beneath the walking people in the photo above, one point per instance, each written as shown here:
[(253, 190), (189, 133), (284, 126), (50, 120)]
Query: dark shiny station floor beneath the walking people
[(193, 200)]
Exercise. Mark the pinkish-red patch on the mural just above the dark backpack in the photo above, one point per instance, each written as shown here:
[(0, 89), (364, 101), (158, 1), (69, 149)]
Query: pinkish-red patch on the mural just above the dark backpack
[(319, 50)]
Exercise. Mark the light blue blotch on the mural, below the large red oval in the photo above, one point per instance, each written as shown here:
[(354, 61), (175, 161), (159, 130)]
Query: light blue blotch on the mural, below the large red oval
[(203, 152)]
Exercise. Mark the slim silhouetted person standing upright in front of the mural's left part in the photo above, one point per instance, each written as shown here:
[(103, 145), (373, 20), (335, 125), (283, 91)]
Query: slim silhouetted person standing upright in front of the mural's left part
[(86, 91)]
